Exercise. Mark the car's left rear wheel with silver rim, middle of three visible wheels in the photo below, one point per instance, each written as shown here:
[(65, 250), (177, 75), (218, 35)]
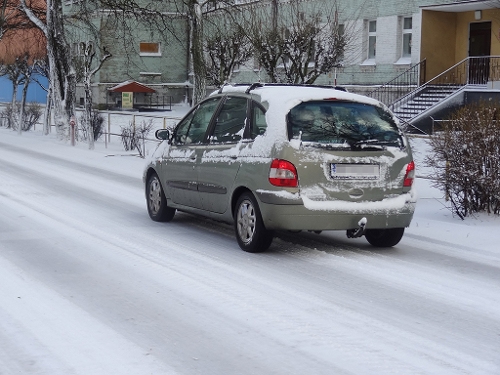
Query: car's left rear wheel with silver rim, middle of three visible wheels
[(252, 235)]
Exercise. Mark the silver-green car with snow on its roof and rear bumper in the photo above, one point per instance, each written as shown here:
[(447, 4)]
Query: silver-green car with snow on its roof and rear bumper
[(272, 157)]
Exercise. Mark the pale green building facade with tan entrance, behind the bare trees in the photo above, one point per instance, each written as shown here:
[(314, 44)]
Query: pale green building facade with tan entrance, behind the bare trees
[(386, 38)]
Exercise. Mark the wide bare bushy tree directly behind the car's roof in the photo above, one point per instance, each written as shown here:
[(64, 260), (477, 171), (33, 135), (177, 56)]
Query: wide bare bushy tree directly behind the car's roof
[(302, 46)]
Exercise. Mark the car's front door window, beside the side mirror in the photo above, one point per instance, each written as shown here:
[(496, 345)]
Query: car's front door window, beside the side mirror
[(192, 129)]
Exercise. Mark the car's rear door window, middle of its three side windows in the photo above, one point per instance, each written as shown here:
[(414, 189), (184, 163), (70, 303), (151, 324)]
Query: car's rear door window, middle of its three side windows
[(231, 121)]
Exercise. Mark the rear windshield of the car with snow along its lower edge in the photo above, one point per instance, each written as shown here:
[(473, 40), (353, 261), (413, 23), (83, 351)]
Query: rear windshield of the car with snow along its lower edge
[(342, 123)]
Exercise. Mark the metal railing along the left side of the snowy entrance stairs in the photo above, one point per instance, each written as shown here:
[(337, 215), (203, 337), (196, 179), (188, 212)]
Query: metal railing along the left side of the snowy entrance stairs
[(400, 86)]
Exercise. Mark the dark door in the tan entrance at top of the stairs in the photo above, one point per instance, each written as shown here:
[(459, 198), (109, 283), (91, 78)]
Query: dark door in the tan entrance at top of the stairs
[(479, 53)]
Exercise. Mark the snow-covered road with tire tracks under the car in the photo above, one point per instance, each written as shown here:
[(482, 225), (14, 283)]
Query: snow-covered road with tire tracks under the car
[(89, 285)]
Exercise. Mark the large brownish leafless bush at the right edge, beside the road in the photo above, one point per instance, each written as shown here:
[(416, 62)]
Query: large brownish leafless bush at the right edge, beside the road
[(466, 159)]
